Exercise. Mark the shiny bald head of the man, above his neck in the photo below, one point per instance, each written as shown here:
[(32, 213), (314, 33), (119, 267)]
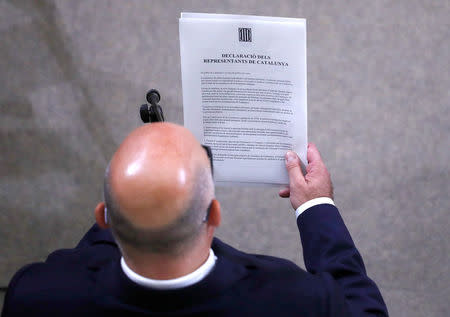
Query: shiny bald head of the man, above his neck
[(158, 187)]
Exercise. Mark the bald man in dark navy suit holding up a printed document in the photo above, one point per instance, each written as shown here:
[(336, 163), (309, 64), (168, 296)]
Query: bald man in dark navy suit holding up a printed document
[(153, 251)]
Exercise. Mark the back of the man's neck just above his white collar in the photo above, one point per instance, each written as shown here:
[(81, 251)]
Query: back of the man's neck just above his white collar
[(164, 267)]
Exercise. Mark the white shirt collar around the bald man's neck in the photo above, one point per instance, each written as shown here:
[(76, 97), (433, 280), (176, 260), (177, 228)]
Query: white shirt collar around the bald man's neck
[(180, 282)]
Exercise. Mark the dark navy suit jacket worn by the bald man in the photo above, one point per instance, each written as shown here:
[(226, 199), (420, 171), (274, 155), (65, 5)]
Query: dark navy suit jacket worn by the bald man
[(88, 280)]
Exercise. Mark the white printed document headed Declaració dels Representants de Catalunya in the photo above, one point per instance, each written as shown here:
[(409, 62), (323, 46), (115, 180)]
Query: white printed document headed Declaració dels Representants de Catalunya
[(244, 92)]
